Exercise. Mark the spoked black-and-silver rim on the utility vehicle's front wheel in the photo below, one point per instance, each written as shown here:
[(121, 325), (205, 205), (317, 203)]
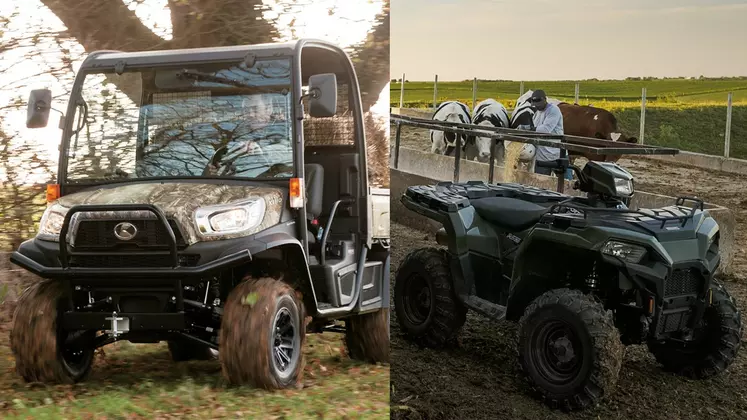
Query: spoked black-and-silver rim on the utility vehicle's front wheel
[(286, 345)]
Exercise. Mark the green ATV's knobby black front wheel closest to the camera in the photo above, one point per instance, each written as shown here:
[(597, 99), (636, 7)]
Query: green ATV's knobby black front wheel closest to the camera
[(569, 349)]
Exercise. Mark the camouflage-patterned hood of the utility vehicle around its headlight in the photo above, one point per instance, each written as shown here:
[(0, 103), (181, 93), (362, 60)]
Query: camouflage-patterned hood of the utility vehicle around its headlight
[(177, 201)]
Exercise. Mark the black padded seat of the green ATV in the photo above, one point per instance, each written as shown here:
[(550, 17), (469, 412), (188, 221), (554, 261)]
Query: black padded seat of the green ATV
[(510, 214)]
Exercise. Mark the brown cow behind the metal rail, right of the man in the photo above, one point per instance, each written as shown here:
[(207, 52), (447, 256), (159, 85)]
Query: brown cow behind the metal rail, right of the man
[(587, 121)]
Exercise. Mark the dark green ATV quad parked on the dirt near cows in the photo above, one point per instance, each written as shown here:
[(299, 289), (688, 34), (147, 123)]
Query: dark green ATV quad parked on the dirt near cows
[(583, 276)]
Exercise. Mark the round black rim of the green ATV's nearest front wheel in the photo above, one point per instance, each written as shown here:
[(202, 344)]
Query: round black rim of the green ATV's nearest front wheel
[(557, 352)]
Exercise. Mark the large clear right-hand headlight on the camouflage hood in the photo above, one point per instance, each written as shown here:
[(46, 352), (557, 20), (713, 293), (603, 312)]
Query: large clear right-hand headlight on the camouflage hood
[(230, 218)]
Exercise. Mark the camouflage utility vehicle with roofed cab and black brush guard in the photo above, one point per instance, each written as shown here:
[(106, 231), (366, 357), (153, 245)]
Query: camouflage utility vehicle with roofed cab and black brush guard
[(217, 199)]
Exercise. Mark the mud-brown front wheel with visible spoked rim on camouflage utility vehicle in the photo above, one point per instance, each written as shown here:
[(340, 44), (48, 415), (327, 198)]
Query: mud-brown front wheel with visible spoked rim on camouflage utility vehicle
[(262, 335)]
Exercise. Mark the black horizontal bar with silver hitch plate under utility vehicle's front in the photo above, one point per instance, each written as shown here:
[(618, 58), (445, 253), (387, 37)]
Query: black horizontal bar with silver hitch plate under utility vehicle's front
[(133, 321)]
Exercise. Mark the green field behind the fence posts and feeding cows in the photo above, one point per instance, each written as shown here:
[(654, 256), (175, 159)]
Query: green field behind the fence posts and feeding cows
[(682, 113)]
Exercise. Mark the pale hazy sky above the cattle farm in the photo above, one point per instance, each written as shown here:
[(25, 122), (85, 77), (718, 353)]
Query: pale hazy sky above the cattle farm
[(567, 39)]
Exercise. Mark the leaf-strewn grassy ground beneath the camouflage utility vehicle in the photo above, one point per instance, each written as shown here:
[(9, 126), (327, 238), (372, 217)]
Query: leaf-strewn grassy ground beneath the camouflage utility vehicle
[(139, 381)]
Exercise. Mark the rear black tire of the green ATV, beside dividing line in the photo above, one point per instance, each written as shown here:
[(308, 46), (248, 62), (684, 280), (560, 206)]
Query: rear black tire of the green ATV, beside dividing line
[(427, 308)]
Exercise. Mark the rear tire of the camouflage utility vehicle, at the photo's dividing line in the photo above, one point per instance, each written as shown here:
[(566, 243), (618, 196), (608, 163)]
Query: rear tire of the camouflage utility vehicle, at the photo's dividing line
[(367, 336)]
